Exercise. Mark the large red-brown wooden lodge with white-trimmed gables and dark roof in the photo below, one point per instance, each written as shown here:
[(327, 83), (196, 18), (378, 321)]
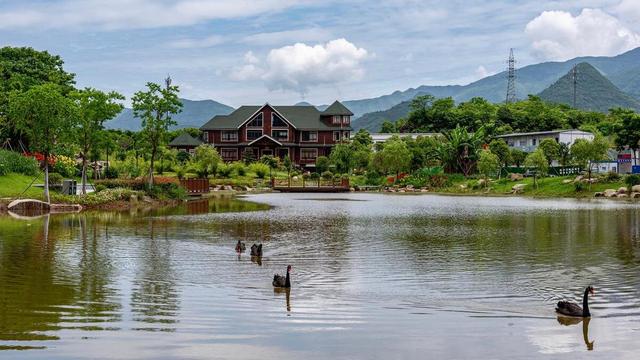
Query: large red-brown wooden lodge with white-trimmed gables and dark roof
[(302, 132)]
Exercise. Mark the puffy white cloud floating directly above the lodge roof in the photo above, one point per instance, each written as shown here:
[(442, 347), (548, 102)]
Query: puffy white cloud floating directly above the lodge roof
[(300, 67)]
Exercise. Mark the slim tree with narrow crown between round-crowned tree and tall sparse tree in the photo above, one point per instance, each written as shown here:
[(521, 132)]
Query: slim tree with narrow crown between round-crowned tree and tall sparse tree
[(94, 108)]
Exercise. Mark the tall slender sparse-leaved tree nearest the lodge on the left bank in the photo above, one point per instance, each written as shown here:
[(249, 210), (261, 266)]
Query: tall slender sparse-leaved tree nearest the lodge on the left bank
[(155, 107)]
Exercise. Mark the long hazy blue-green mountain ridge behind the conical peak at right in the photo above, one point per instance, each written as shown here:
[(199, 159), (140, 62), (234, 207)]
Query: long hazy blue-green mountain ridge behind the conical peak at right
[(623, 71)]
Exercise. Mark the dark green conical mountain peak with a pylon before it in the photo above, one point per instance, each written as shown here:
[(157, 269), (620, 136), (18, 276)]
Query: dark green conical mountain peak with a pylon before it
[(593, 91)]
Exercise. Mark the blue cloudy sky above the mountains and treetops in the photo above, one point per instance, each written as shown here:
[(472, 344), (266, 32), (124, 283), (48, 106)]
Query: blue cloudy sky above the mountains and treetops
[(283, 51)]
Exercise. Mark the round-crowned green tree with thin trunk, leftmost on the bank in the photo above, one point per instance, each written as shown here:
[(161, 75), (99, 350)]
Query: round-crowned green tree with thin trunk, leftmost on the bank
[(46, 117)]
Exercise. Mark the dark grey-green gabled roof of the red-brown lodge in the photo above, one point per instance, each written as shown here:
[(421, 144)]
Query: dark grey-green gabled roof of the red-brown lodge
[(300, 116)]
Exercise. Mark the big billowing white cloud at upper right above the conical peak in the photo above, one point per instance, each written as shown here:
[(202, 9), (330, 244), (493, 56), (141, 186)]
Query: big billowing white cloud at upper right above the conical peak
[(558, 35)]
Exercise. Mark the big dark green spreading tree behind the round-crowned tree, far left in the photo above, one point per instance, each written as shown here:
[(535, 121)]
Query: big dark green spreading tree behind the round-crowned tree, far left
[(22, 68)]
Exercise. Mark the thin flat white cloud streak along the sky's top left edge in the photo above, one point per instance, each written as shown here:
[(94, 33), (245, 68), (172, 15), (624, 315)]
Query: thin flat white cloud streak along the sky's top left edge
[(127, 14)]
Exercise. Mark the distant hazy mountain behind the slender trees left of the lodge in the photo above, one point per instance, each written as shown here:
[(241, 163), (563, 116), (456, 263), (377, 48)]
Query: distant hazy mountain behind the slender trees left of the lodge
[(194, 114)]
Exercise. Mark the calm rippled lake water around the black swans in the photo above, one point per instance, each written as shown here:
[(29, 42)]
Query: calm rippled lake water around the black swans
[(374, 277)]
